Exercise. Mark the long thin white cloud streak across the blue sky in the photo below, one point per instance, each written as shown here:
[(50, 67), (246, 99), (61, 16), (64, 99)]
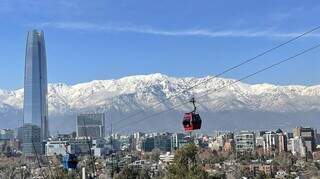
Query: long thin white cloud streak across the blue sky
[(81, 26)]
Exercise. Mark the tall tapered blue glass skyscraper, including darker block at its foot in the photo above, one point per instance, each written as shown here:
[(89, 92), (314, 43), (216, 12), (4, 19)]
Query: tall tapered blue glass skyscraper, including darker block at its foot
[(35, 108)]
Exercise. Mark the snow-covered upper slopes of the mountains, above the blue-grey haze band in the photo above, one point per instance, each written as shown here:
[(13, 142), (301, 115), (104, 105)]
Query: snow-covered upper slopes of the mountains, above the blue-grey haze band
[(150, 93)]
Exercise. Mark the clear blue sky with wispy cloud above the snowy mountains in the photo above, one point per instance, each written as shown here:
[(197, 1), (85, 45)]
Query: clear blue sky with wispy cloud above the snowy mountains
[(103, 39)]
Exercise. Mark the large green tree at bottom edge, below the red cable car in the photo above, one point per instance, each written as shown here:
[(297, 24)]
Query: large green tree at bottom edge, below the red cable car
[(185, 164)]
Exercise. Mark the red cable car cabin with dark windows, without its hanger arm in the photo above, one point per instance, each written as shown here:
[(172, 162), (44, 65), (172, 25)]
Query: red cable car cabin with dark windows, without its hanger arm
[(191, 121)]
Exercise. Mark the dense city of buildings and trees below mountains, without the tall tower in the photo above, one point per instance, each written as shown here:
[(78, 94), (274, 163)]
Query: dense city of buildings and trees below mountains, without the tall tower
[(89, 153)]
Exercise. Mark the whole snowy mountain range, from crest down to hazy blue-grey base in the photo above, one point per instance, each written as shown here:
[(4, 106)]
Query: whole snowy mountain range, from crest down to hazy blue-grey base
[(134, 98)]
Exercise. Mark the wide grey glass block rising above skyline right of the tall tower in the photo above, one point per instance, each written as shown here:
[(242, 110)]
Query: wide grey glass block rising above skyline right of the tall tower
[(91, 125)]
